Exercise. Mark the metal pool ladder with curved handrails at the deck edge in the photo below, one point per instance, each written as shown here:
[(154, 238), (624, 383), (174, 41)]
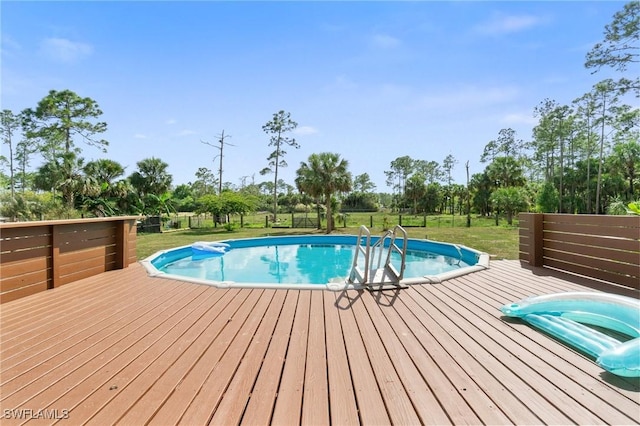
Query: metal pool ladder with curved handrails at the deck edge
[(374, 274)]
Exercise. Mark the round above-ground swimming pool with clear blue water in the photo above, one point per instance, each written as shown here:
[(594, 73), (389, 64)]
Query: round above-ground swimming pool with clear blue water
[(310, 261)]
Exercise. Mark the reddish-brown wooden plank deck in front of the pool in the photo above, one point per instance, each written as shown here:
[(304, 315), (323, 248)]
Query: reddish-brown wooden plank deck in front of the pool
[(123, 348)]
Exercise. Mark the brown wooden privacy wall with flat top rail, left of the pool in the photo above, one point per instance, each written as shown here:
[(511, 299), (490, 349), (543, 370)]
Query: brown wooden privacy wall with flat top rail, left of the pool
[(36, 256)]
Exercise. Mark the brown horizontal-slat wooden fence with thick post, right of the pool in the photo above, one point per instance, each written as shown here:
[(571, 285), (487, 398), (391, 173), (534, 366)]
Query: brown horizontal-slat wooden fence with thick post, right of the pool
[(597, 246)]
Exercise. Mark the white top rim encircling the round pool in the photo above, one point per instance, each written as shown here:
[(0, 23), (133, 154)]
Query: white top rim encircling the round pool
[(481, 264)]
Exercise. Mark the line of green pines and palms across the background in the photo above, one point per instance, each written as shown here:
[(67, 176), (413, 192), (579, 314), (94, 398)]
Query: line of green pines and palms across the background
[(582, 157)]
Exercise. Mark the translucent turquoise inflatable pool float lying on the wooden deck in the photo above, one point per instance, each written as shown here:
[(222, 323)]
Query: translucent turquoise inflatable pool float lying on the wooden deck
[(570, 316)]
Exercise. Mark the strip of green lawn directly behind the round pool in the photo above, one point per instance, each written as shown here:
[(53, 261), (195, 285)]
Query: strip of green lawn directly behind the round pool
[(500, 242)]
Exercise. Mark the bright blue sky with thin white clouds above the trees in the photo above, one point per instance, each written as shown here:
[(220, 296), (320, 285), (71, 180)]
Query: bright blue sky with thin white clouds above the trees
[(372, 81)]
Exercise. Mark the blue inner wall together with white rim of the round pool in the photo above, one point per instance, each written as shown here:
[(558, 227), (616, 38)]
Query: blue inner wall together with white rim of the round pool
[(477, 260)]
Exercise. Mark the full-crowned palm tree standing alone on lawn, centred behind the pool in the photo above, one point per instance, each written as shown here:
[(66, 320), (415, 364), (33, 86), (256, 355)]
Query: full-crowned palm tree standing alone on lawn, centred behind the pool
[(324, 175)]
